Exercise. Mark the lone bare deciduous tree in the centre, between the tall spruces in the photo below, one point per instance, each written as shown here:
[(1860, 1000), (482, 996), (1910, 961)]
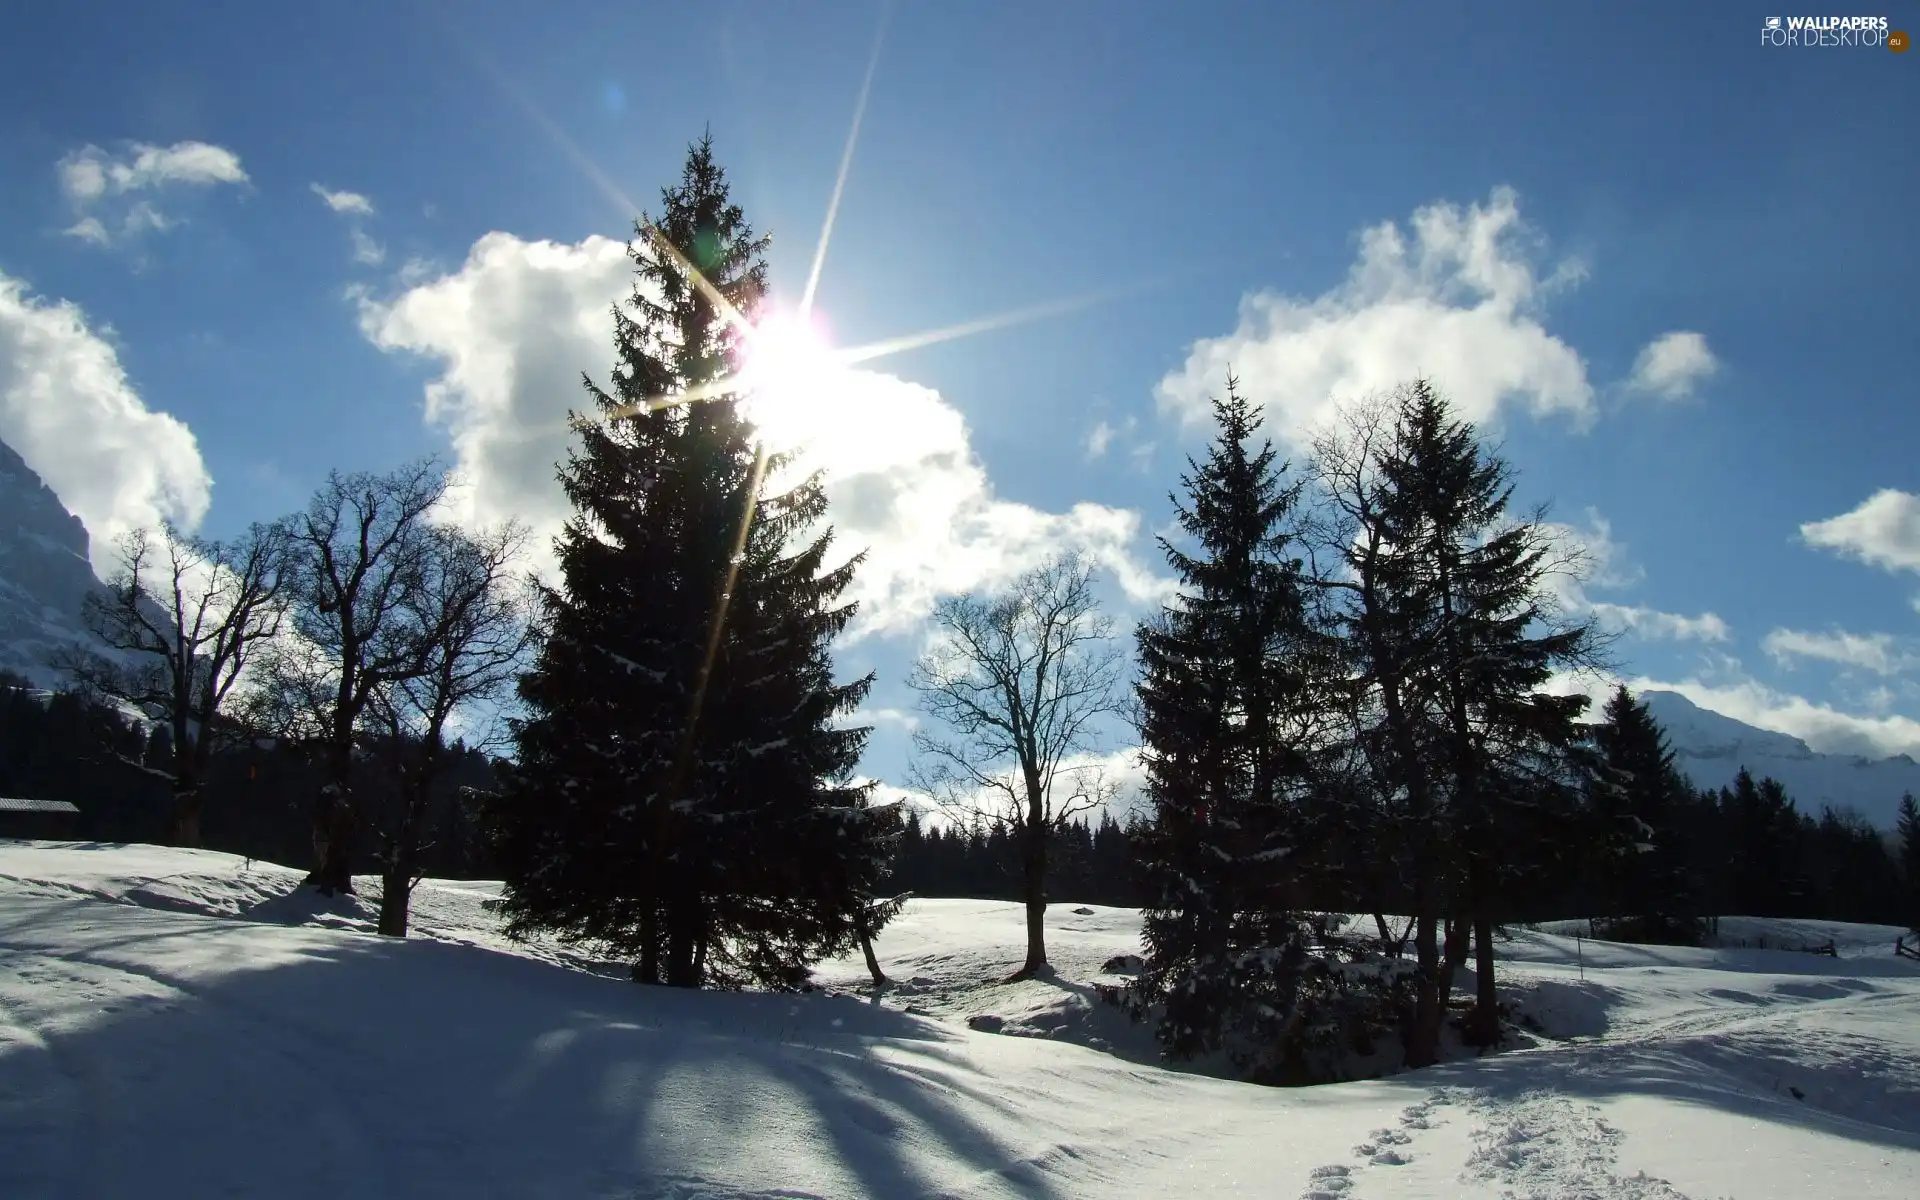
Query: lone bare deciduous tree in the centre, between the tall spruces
[(1022, 683)]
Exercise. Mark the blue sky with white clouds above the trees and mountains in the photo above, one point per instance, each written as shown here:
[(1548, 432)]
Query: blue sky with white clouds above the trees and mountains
[(1671, 268)]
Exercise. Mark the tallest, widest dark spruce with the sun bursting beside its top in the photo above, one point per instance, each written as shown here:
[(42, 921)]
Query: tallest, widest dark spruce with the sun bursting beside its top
[(683, 790)]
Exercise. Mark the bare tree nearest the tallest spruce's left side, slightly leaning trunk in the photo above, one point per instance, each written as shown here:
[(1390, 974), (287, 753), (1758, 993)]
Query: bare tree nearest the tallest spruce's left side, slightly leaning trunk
[(475, 625)]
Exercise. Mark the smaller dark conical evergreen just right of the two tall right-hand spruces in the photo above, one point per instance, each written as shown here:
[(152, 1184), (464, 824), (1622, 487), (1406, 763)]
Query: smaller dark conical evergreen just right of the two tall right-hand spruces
[(1641, 798)]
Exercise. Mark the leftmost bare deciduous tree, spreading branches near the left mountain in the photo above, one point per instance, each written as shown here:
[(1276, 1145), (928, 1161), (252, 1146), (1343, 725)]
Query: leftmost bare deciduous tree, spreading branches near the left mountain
[(181, 619)]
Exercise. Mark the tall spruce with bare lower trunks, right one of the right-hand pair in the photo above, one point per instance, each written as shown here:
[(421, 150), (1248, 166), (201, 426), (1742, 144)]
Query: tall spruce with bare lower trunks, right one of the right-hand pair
[(1458, 640)]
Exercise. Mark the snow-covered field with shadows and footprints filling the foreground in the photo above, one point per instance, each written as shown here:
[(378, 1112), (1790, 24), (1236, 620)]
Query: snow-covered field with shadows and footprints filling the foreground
[(183, 1024)]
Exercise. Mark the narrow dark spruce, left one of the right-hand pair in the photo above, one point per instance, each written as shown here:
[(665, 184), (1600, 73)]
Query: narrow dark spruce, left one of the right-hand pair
[(1228, 711)]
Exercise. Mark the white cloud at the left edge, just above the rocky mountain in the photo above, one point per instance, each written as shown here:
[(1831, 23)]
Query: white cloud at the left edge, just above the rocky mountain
[(70, 410)]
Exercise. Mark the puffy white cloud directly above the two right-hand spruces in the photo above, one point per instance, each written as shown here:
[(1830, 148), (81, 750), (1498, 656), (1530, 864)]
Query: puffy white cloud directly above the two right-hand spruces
[(1454, 299)]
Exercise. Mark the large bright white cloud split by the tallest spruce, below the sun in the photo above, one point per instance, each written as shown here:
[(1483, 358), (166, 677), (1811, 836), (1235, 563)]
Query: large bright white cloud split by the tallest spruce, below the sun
[(517, 325)]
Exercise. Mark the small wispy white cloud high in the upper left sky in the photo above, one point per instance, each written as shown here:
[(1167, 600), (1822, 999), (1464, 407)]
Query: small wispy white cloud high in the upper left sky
[(99, 185)]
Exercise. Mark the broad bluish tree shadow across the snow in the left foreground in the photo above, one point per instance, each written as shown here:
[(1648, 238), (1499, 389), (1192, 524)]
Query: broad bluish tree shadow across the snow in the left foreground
[(189, 1057)]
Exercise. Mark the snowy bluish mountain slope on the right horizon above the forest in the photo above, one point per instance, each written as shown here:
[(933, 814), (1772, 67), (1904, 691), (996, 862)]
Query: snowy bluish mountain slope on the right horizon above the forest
[(1712, 750)]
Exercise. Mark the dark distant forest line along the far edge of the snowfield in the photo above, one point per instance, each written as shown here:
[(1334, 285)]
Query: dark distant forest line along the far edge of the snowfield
[(1748, 846)]
